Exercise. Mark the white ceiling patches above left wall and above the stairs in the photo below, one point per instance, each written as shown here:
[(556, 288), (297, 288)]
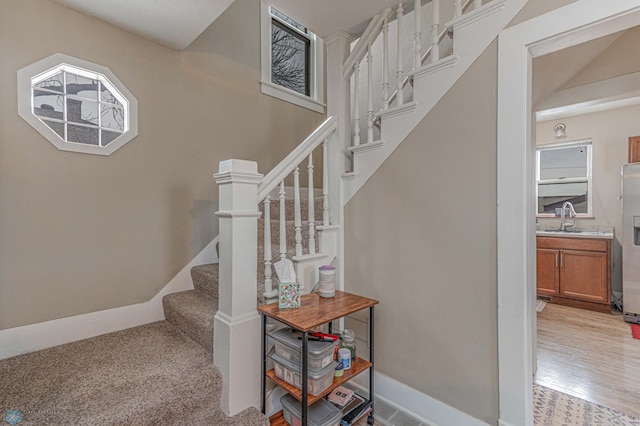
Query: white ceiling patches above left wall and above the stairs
[(177, 23)]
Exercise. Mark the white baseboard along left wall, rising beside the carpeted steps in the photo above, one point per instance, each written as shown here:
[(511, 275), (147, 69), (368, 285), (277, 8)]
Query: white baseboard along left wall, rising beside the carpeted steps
[(35, 337)]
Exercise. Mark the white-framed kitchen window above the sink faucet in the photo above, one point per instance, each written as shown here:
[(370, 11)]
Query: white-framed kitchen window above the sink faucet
[(564, 174)]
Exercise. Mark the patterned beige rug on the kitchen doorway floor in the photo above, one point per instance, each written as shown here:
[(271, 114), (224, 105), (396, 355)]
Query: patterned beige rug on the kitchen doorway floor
[(553, 408)]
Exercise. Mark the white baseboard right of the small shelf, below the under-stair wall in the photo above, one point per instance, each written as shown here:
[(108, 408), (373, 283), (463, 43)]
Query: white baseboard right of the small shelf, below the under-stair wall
[(421, 406)]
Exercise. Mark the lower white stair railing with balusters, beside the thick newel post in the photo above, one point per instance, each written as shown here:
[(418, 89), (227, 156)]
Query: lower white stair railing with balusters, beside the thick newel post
[(290, 166)]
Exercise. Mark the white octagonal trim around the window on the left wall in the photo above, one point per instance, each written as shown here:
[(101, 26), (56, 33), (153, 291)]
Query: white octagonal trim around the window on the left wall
[(92, 71)]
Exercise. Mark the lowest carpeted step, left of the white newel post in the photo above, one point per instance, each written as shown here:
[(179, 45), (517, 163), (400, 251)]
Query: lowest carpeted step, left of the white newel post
[(192, 313)]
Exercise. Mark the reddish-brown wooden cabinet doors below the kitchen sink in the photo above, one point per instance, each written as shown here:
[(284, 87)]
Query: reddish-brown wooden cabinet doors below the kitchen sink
[(575, 272)]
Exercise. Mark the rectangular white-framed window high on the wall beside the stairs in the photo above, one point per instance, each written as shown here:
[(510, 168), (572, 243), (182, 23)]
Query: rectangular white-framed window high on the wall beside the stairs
[(291, 60)]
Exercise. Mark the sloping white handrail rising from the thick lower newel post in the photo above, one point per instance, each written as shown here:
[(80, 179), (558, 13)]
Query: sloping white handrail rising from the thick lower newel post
[(295, 157)]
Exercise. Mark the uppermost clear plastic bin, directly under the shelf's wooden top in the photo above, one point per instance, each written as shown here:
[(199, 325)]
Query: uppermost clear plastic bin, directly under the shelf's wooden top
[(289, 347)]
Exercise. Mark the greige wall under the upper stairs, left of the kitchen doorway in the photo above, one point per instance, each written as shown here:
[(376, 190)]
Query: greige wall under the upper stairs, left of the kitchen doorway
[(420, 236)]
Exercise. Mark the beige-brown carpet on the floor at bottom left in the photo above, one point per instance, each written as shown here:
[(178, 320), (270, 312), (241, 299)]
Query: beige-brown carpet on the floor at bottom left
[(148, 375)]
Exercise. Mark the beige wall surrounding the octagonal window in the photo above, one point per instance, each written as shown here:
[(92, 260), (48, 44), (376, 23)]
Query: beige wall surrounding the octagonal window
[(81, 233)]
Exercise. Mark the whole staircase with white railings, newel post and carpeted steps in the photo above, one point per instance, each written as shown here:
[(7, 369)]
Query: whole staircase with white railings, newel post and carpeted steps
[(310, 233)]
